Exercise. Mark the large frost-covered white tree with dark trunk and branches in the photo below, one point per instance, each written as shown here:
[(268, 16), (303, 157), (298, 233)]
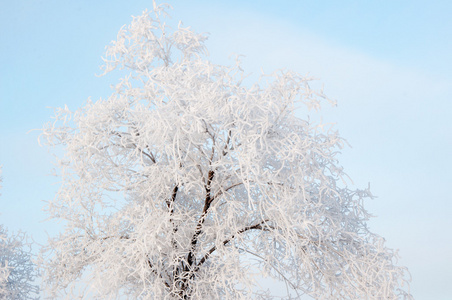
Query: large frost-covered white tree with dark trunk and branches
[(186, 181)]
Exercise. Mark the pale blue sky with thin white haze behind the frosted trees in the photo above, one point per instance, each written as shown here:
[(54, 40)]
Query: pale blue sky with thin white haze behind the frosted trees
[(387, 63)]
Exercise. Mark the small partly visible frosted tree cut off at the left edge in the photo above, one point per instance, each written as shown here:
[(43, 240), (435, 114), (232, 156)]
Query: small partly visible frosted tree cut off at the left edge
[(17, 271)]
